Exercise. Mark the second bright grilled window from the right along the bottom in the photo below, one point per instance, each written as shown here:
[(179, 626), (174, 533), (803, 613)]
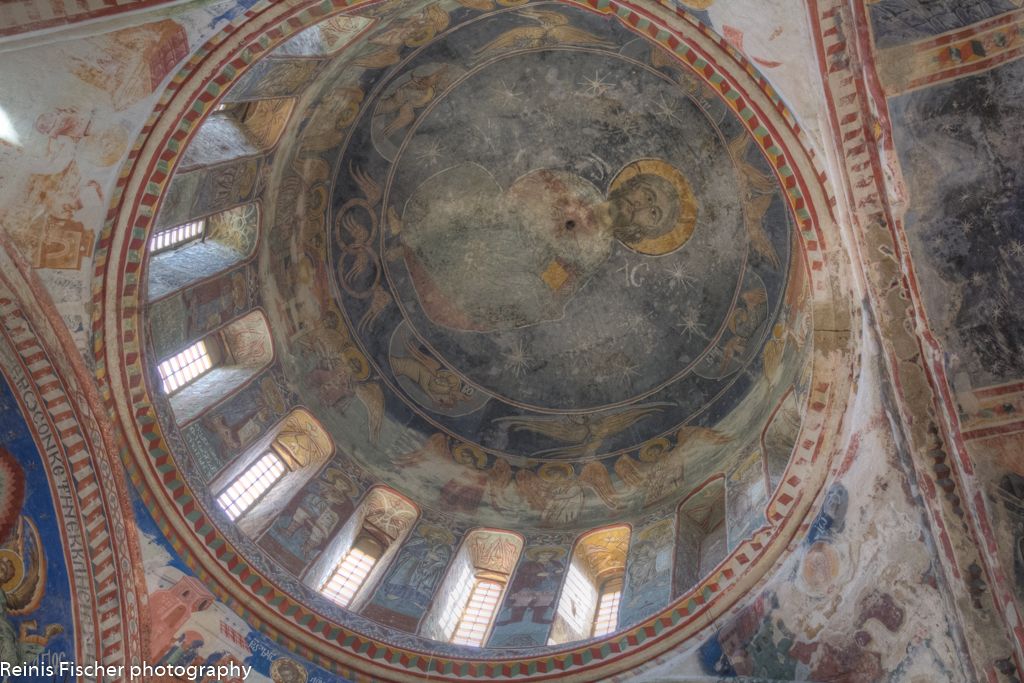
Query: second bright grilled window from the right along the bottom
[(467, 602)]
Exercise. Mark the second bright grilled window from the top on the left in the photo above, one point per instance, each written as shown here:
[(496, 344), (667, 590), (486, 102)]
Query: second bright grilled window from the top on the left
[(210, 369)]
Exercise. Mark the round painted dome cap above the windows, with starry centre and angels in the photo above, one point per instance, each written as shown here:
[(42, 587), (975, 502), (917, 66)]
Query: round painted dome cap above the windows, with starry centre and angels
[(550, 263)]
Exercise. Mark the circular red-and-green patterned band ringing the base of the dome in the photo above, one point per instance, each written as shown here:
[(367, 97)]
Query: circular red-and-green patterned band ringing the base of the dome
[(117, 310)]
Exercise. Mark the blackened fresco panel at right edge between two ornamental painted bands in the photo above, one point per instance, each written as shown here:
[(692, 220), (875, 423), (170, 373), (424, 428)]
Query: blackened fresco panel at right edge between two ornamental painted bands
[(963, 219)]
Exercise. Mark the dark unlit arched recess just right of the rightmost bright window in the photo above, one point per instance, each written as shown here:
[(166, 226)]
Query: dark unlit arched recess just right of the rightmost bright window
[(701, 538)]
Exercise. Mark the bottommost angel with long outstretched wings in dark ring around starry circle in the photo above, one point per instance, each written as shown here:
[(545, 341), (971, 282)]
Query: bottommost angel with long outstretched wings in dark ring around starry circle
[(585, 434)]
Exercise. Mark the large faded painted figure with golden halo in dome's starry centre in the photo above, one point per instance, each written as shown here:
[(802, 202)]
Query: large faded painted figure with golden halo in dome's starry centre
[(484, 260)]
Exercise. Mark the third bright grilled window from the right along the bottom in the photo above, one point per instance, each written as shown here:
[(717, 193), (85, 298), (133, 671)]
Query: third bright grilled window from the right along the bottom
[(359, 556)]
